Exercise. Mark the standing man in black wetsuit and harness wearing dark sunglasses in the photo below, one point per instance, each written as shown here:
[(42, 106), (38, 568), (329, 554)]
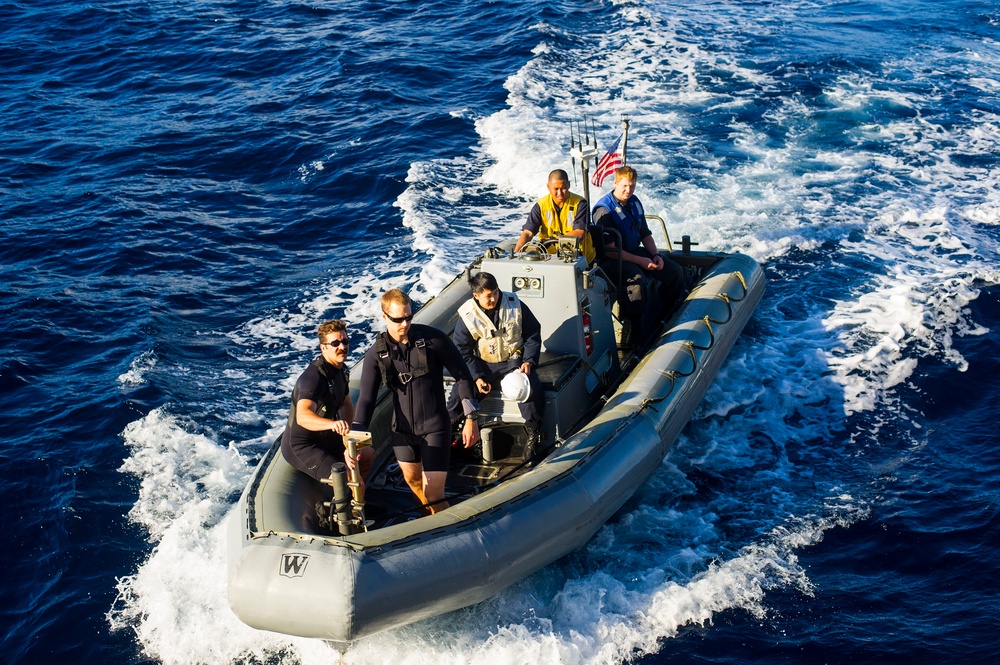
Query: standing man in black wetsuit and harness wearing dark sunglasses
[(410, 359)]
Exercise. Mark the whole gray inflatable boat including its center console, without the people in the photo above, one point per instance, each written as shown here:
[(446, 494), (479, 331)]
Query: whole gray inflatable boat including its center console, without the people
[(612, 413)]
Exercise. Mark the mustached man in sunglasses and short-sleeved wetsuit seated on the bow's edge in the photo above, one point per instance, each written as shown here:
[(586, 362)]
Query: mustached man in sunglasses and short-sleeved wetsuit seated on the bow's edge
[(322, 410)]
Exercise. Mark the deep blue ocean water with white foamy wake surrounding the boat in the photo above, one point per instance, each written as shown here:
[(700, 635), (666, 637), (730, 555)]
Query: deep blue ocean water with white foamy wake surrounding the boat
[(187, 189)]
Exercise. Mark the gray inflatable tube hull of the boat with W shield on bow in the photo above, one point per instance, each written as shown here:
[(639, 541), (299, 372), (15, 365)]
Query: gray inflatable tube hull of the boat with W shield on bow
[(283, 578)]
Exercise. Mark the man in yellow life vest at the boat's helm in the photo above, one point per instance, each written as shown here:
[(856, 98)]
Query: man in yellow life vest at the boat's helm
[(559, 213)]
